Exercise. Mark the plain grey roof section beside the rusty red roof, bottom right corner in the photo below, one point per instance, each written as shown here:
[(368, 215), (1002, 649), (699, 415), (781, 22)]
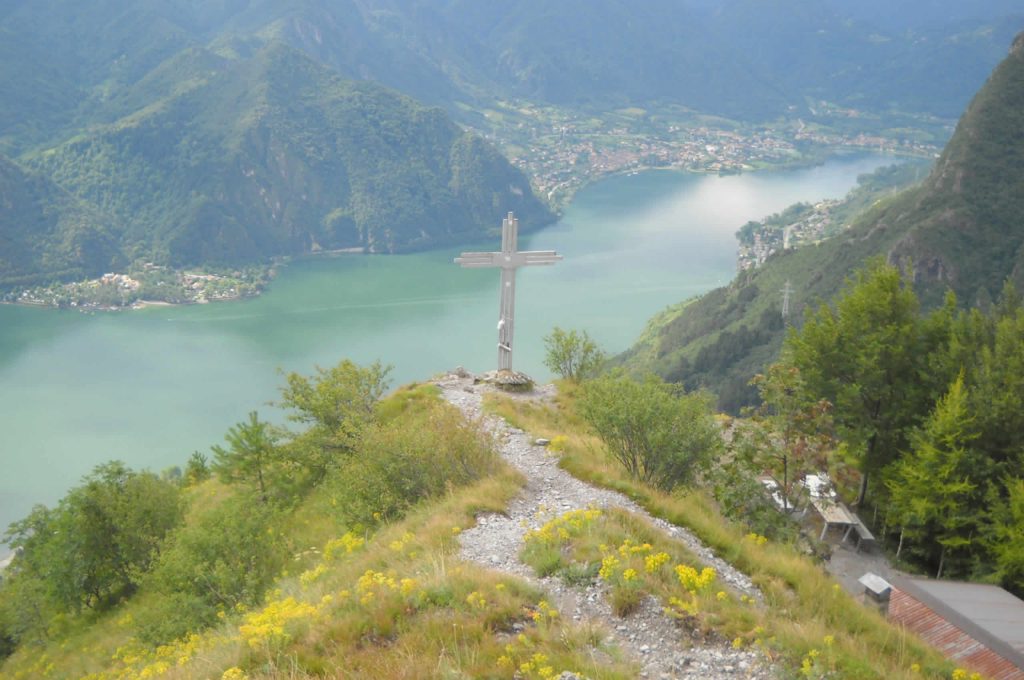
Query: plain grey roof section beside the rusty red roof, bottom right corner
[(989, 614)]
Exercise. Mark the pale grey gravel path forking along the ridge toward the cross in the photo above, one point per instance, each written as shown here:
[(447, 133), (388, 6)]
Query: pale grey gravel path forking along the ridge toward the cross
[(661, 648)]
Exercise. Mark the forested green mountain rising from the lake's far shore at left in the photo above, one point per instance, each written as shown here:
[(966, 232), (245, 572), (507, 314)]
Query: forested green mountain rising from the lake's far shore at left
[(233, 157)]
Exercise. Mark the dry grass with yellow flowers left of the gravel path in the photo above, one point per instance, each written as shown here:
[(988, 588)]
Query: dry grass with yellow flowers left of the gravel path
[(387, 601)]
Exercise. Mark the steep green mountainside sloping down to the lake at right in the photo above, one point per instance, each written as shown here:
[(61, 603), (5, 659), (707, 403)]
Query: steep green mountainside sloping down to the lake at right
[(962, 229)]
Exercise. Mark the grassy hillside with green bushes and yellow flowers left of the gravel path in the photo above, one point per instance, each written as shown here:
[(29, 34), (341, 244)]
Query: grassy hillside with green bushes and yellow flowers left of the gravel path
[(327, 550)]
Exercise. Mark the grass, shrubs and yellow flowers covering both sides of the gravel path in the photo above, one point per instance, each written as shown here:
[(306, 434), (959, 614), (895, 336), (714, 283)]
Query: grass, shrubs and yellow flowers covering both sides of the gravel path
[(330, 550)]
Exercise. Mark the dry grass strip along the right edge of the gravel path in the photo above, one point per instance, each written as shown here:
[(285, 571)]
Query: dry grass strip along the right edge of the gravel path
[(804, 609)]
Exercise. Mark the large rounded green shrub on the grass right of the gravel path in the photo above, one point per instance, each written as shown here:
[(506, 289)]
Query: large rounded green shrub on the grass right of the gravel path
[(660, 435)]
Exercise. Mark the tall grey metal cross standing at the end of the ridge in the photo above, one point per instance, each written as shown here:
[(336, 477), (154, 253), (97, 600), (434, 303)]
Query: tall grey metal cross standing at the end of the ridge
[(508, 260)]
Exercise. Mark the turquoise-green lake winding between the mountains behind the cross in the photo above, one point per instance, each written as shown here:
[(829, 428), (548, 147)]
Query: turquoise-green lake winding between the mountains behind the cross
[(151, 387)]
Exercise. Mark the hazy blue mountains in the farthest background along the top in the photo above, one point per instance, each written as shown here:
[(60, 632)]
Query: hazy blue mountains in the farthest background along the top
[(748, 60)]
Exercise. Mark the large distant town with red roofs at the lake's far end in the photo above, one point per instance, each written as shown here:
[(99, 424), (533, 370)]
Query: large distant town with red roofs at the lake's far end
[(564, 151)]
